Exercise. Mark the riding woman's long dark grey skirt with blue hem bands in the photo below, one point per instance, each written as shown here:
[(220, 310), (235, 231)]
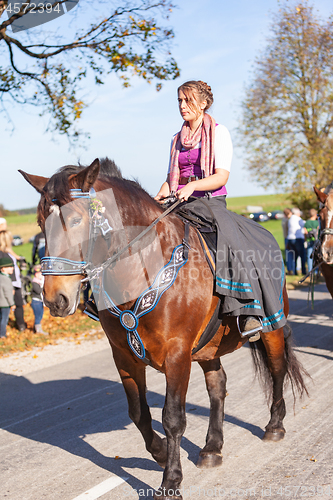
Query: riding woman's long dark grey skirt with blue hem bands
[(249, 264)]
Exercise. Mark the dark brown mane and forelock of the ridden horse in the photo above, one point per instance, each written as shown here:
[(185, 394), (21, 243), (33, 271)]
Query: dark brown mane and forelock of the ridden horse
[(57, 187)]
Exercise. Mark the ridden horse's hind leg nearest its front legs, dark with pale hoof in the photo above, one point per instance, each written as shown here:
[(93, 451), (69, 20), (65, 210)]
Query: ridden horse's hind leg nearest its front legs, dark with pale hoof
[(210, 455)]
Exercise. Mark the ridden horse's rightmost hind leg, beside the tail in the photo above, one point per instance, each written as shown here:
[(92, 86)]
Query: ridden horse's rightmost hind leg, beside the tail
[(275, 348)]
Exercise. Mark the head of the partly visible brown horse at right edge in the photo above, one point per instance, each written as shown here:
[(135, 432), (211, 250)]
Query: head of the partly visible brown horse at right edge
[(326, 223)]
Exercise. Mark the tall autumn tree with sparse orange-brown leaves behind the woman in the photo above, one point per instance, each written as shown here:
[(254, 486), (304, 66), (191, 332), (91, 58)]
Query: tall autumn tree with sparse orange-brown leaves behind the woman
[(287, 112)]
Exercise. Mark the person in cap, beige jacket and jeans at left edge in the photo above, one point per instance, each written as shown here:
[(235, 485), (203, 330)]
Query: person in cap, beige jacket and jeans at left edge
[(6, 292)]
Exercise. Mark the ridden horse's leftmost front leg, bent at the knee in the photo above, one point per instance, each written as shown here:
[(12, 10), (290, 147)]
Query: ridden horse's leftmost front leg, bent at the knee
[(133, 377)]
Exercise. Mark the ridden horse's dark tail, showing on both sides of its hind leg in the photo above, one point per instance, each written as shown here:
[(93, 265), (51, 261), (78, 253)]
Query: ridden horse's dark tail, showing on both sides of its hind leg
[(295, 372)]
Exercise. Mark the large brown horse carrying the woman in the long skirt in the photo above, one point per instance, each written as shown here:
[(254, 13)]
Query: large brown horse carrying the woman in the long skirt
[(169, 331)]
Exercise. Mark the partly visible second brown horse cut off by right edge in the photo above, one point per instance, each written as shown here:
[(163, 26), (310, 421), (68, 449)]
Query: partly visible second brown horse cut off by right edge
[(326, 235)]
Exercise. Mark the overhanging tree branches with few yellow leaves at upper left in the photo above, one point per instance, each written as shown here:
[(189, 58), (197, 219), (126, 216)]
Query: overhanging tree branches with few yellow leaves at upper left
[(48, 69)]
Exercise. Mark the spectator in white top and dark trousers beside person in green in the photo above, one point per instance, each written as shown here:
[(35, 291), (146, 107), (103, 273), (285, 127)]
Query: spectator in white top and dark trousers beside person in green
[(295, 239)]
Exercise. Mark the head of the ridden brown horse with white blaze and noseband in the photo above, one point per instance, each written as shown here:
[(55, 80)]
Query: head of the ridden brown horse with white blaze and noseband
[(65, 222)]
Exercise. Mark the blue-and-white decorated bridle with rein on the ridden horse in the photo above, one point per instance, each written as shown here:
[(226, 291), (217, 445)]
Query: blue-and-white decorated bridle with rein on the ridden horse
[(97, 224)]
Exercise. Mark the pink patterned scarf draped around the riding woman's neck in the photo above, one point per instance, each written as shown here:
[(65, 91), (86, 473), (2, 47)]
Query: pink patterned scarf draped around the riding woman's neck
[(205, 134)]
